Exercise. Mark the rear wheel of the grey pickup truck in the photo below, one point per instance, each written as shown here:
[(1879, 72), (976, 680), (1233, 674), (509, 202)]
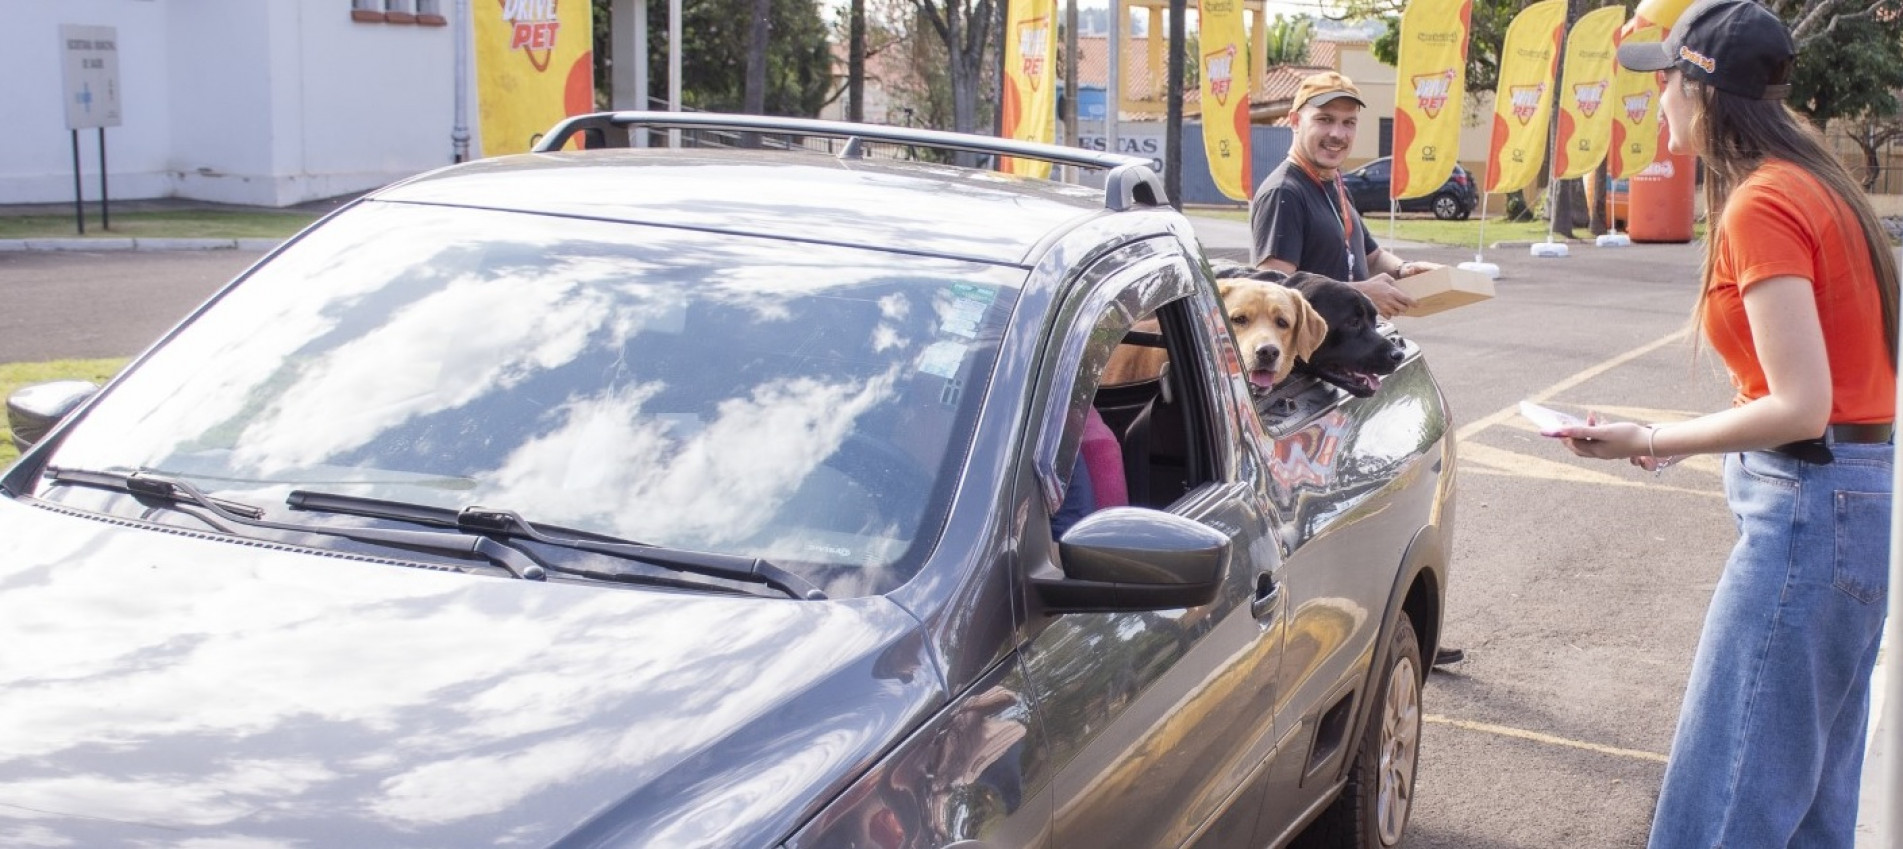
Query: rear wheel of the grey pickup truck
[(1375, 806)]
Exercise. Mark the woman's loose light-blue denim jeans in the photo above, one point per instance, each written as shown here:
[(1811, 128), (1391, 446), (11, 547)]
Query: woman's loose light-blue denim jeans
[(1771, 736)]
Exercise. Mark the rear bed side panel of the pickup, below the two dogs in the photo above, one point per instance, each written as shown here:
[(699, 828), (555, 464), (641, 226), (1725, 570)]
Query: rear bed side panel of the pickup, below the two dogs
[(1343, 477)]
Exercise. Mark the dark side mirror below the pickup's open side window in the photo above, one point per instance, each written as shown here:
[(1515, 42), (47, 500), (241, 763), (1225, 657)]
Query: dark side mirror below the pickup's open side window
[(1129, 559)]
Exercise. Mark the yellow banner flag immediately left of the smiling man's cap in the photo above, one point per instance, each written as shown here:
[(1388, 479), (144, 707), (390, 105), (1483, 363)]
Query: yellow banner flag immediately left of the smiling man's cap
[(1226, 96)]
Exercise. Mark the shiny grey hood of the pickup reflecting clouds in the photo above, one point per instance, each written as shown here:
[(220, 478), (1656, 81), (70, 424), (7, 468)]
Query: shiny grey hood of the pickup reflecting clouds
[(186, 690)]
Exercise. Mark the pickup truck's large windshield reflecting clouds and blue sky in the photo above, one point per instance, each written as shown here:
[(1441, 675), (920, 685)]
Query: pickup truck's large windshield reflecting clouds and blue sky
[(796, 403)]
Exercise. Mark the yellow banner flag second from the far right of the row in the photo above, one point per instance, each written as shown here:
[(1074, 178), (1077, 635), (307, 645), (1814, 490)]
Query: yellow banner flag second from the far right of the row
[(1584, 104)]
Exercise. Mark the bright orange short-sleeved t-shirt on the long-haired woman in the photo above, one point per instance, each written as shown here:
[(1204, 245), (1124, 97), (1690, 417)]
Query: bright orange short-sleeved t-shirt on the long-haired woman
[(1782, 222)]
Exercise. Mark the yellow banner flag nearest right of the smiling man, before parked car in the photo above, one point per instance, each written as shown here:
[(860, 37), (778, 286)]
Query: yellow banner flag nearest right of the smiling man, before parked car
[(1430, 83)]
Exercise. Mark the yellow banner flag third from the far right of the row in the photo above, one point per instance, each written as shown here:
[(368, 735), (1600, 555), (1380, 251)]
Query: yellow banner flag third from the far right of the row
[(1523, 104)]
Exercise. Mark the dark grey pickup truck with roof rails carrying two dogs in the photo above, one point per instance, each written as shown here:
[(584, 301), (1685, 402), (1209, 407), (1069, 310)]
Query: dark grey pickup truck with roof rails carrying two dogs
[(705, 500)]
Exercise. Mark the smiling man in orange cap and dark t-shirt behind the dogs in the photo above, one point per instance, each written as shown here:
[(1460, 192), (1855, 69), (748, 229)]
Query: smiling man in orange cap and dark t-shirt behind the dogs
[(1303, 218)]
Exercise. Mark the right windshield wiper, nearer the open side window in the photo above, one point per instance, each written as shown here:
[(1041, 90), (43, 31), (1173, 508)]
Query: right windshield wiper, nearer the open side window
[(509, 524)]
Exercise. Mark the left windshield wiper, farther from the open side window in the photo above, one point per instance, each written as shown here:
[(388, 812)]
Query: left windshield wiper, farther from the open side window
[(224, 515)]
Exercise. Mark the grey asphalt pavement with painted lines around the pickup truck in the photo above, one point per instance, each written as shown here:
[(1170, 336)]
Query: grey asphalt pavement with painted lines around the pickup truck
[(1580, 585)]
